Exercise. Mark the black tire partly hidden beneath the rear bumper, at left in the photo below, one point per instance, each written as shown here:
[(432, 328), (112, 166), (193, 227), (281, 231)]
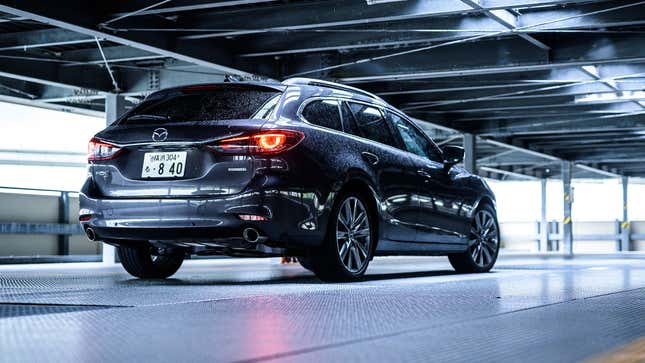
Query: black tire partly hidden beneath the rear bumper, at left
[(141, 263)]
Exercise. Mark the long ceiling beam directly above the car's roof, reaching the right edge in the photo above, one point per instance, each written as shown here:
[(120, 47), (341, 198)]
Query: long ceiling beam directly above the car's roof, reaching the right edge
[(440, 63)]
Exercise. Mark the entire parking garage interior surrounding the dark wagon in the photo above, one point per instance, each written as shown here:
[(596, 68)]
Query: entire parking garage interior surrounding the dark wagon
[(547, 97)]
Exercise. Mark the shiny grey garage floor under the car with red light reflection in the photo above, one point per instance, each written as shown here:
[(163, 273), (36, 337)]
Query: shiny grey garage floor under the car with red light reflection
[(406, 309)]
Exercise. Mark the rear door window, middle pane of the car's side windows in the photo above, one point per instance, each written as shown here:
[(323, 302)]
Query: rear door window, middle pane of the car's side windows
[(371, 124)]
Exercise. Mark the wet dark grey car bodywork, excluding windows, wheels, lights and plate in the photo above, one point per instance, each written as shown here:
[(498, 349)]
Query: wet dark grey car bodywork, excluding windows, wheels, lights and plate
[(422, 205)]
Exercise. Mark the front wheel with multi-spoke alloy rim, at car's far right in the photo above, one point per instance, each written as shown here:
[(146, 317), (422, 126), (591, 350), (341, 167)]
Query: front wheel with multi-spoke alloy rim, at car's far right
[(483, 250)]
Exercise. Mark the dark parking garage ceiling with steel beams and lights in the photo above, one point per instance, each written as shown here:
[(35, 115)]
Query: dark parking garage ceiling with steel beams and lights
[(539, 81)]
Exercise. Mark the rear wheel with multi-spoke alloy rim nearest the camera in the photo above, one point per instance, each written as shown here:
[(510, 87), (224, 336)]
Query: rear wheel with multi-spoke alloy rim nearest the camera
[(326, 262)]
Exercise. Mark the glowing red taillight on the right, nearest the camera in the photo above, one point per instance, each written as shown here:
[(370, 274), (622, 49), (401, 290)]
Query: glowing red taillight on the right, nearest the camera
[(261, 143)]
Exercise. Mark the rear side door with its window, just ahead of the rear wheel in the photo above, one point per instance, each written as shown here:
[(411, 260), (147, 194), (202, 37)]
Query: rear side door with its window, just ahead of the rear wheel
[(391, 168)]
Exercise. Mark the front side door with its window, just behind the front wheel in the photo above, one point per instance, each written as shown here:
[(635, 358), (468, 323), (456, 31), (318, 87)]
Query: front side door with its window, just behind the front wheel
[(440, 214)]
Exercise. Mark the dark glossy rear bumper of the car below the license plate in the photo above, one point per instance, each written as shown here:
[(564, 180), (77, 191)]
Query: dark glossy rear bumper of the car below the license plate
[(293, 219)]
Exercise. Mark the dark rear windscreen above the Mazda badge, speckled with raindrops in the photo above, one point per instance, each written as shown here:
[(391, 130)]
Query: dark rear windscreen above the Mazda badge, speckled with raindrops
[(209, 105)]
